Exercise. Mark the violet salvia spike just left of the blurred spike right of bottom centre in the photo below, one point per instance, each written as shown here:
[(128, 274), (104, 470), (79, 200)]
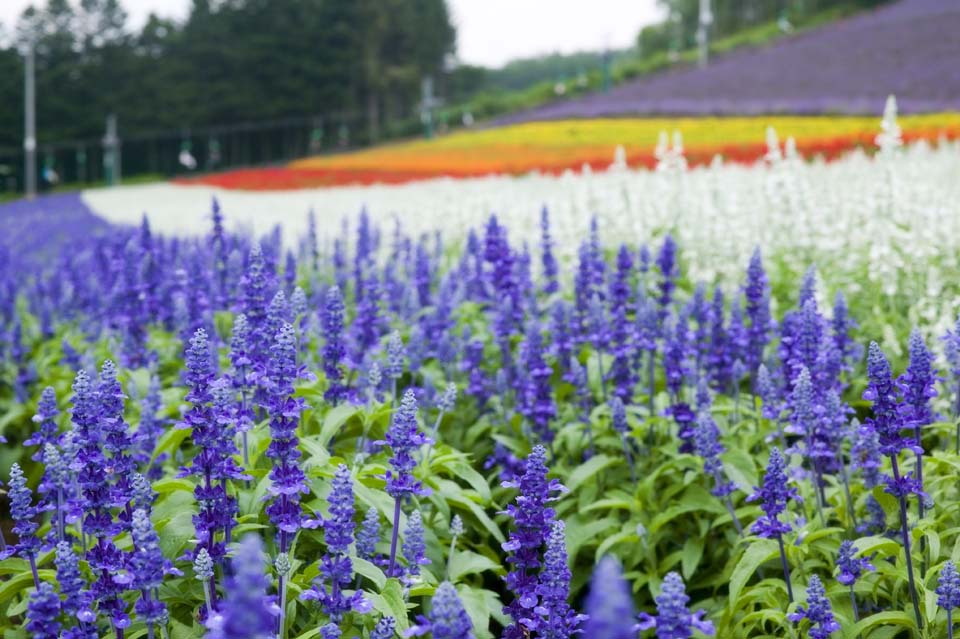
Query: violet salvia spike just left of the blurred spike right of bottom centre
[(557, 620)]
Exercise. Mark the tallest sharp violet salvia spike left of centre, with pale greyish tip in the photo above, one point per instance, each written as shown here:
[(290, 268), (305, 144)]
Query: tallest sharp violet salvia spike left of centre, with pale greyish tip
[(288, 480)]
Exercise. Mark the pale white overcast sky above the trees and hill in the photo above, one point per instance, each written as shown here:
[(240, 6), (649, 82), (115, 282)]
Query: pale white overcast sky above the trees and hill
[(489, 32)]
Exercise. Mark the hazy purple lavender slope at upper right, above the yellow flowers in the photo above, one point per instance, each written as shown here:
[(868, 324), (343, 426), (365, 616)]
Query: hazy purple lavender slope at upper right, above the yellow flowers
[(909, 48)]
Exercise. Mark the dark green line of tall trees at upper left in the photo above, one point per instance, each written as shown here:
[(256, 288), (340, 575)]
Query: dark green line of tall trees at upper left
[(230, 61)]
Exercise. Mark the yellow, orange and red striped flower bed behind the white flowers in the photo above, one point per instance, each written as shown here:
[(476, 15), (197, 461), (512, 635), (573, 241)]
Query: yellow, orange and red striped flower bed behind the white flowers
[(554, 147)]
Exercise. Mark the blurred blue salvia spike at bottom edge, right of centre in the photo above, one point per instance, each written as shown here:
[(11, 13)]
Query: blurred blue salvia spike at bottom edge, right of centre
[(609, 606)]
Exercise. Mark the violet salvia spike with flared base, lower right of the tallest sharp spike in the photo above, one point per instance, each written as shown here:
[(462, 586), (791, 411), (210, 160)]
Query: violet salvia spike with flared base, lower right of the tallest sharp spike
[(336, 569)]
